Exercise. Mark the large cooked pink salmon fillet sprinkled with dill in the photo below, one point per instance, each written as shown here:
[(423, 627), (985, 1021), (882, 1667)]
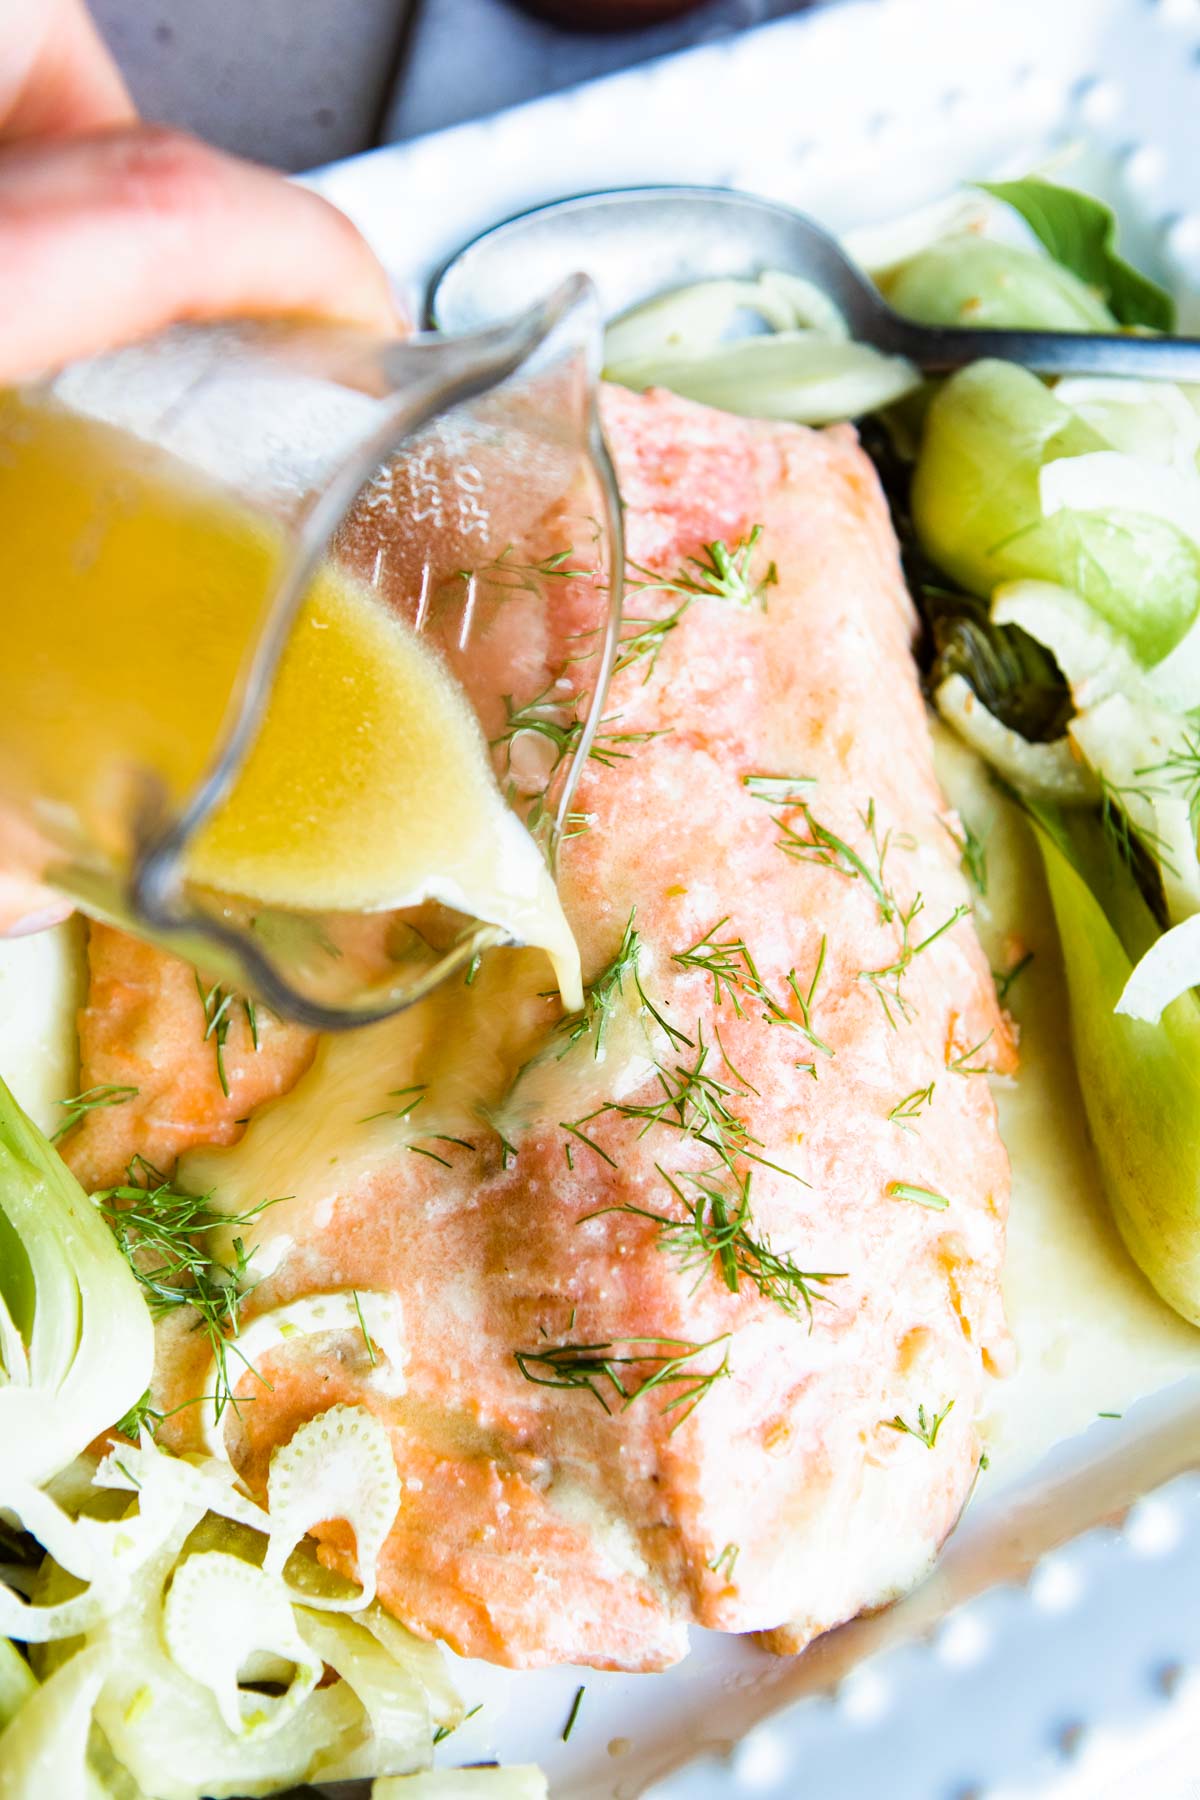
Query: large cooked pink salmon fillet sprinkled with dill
[(784, 1455)]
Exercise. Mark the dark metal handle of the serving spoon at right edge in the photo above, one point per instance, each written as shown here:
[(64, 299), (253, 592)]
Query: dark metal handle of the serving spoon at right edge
[(936, 350)]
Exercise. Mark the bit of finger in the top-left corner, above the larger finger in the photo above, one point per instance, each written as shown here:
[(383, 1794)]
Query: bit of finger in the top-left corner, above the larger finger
[(57, 75)]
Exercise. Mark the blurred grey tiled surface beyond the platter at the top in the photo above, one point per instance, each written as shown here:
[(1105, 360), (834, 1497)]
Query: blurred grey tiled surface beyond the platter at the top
[(305, 82)]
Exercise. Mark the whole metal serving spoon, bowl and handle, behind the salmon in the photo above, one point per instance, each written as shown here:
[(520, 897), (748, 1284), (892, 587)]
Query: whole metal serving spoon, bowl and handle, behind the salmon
[(641, 242)]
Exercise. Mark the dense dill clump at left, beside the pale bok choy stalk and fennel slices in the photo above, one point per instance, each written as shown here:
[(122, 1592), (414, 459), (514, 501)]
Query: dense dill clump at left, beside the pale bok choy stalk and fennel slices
[(163, 1236)]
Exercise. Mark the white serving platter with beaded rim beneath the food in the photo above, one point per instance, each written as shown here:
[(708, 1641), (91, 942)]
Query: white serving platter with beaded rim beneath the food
[(1062, 1617)]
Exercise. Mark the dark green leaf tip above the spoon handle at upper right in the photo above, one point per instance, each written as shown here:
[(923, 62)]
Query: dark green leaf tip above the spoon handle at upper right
[(1080, 233)]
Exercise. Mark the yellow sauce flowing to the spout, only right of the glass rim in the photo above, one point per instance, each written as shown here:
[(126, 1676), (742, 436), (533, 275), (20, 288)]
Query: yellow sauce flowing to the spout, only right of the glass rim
[(370, 787)]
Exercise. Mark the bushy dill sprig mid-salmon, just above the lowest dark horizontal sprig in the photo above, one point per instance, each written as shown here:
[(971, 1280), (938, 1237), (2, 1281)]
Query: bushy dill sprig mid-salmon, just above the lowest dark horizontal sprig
[(715, 1234)]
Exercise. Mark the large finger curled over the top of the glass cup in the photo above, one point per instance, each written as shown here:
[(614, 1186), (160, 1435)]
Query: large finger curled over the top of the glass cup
[(111, 238)]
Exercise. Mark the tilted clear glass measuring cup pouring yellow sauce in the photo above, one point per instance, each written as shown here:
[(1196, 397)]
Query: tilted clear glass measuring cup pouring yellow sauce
[(184, 755)]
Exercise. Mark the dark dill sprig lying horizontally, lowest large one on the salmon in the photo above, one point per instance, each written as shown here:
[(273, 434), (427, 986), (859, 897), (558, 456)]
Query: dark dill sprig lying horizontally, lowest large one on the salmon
[(609, 1369)]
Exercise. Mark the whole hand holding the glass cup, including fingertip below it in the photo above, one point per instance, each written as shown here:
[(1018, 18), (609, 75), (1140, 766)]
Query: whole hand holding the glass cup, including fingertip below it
[(112, 229)]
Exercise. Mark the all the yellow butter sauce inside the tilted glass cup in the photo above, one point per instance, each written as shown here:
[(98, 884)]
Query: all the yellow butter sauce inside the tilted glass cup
[(134, 597)]
